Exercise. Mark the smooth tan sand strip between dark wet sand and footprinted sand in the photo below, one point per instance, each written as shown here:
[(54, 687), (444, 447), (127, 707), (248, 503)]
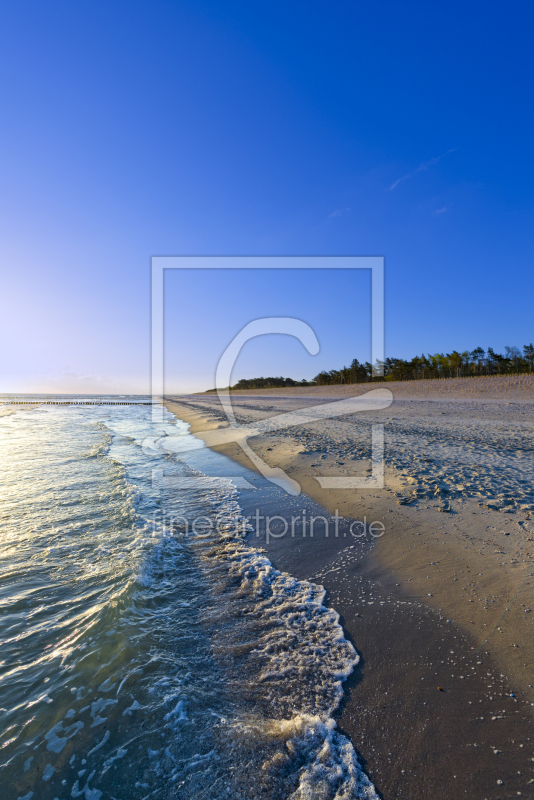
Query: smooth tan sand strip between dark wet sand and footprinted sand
[(468, 523)]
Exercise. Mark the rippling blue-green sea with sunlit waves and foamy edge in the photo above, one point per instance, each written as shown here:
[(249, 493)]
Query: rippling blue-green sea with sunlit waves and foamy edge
[(149, 648)]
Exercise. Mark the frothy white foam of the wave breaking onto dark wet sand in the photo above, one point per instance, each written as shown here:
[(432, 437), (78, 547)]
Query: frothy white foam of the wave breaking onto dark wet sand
[(285, 658)]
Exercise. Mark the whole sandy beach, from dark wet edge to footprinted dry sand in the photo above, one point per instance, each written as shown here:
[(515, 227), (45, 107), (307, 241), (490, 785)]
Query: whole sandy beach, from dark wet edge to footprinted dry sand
[(441, 607)]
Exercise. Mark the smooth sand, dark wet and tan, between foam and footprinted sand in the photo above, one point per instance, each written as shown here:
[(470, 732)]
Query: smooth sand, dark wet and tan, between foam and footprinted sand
[(425, 604)]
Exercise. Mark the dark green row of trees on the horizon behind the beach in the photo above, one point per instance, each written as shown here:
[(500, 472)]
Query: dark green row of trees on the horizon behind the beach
[(440, 365)]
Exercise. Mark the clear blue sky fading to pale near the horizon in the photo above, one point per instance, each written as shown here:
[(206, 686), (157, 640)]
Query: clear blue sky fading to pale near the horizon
[(133, 129)]
